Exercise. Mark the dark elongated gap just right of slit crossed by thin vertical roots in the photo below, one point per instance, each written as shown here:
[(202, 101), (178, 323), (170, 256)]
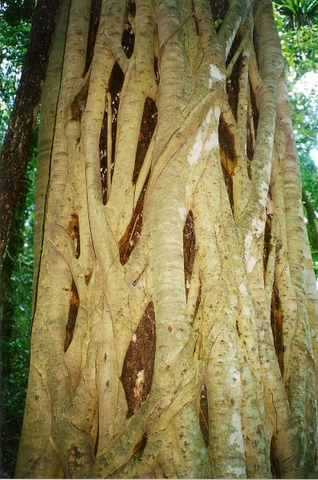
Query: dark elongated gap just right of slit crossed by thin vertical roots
[(147, 128)]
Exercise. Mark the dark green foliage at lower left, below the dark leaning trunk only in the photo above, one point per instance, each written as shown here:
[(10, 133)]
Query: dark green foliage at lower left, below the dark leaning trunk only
[(16, 308)]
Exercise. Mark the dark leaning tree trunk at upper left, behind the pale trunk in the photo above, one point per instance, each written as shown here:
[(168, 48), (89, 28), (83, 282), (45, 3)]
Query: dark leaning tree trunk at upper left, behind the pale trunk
[(17, 142)]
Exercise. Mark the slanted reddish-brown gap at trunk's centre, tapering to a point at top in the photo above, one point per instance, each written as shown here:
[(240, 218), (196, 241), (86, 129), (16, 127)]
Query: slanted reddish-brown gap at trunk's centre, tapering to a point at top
[(133, 231)]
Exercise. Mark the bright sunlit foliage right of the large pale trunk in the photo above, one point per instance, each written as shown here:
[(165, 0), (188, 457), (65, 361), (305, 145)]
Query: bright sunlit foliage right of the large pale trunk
[(297, 22)]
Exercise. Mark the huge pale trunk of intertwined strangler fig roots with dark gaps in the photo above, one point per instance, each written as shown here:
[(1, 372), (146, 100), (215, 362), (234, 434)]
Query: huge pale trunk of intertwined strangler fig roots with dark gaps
[(175, 329)]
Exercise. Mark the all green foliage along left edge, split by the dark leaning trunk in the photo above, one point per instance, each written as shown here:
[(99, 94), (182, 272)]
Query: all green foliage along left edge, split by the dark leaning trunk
[(16, 274)]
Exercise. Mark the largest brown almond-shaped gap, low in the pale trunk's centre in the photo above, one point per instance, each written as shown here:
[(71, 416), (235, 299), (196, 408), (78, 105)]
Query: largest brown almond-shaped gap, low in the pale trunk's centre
[(138, 365)]
